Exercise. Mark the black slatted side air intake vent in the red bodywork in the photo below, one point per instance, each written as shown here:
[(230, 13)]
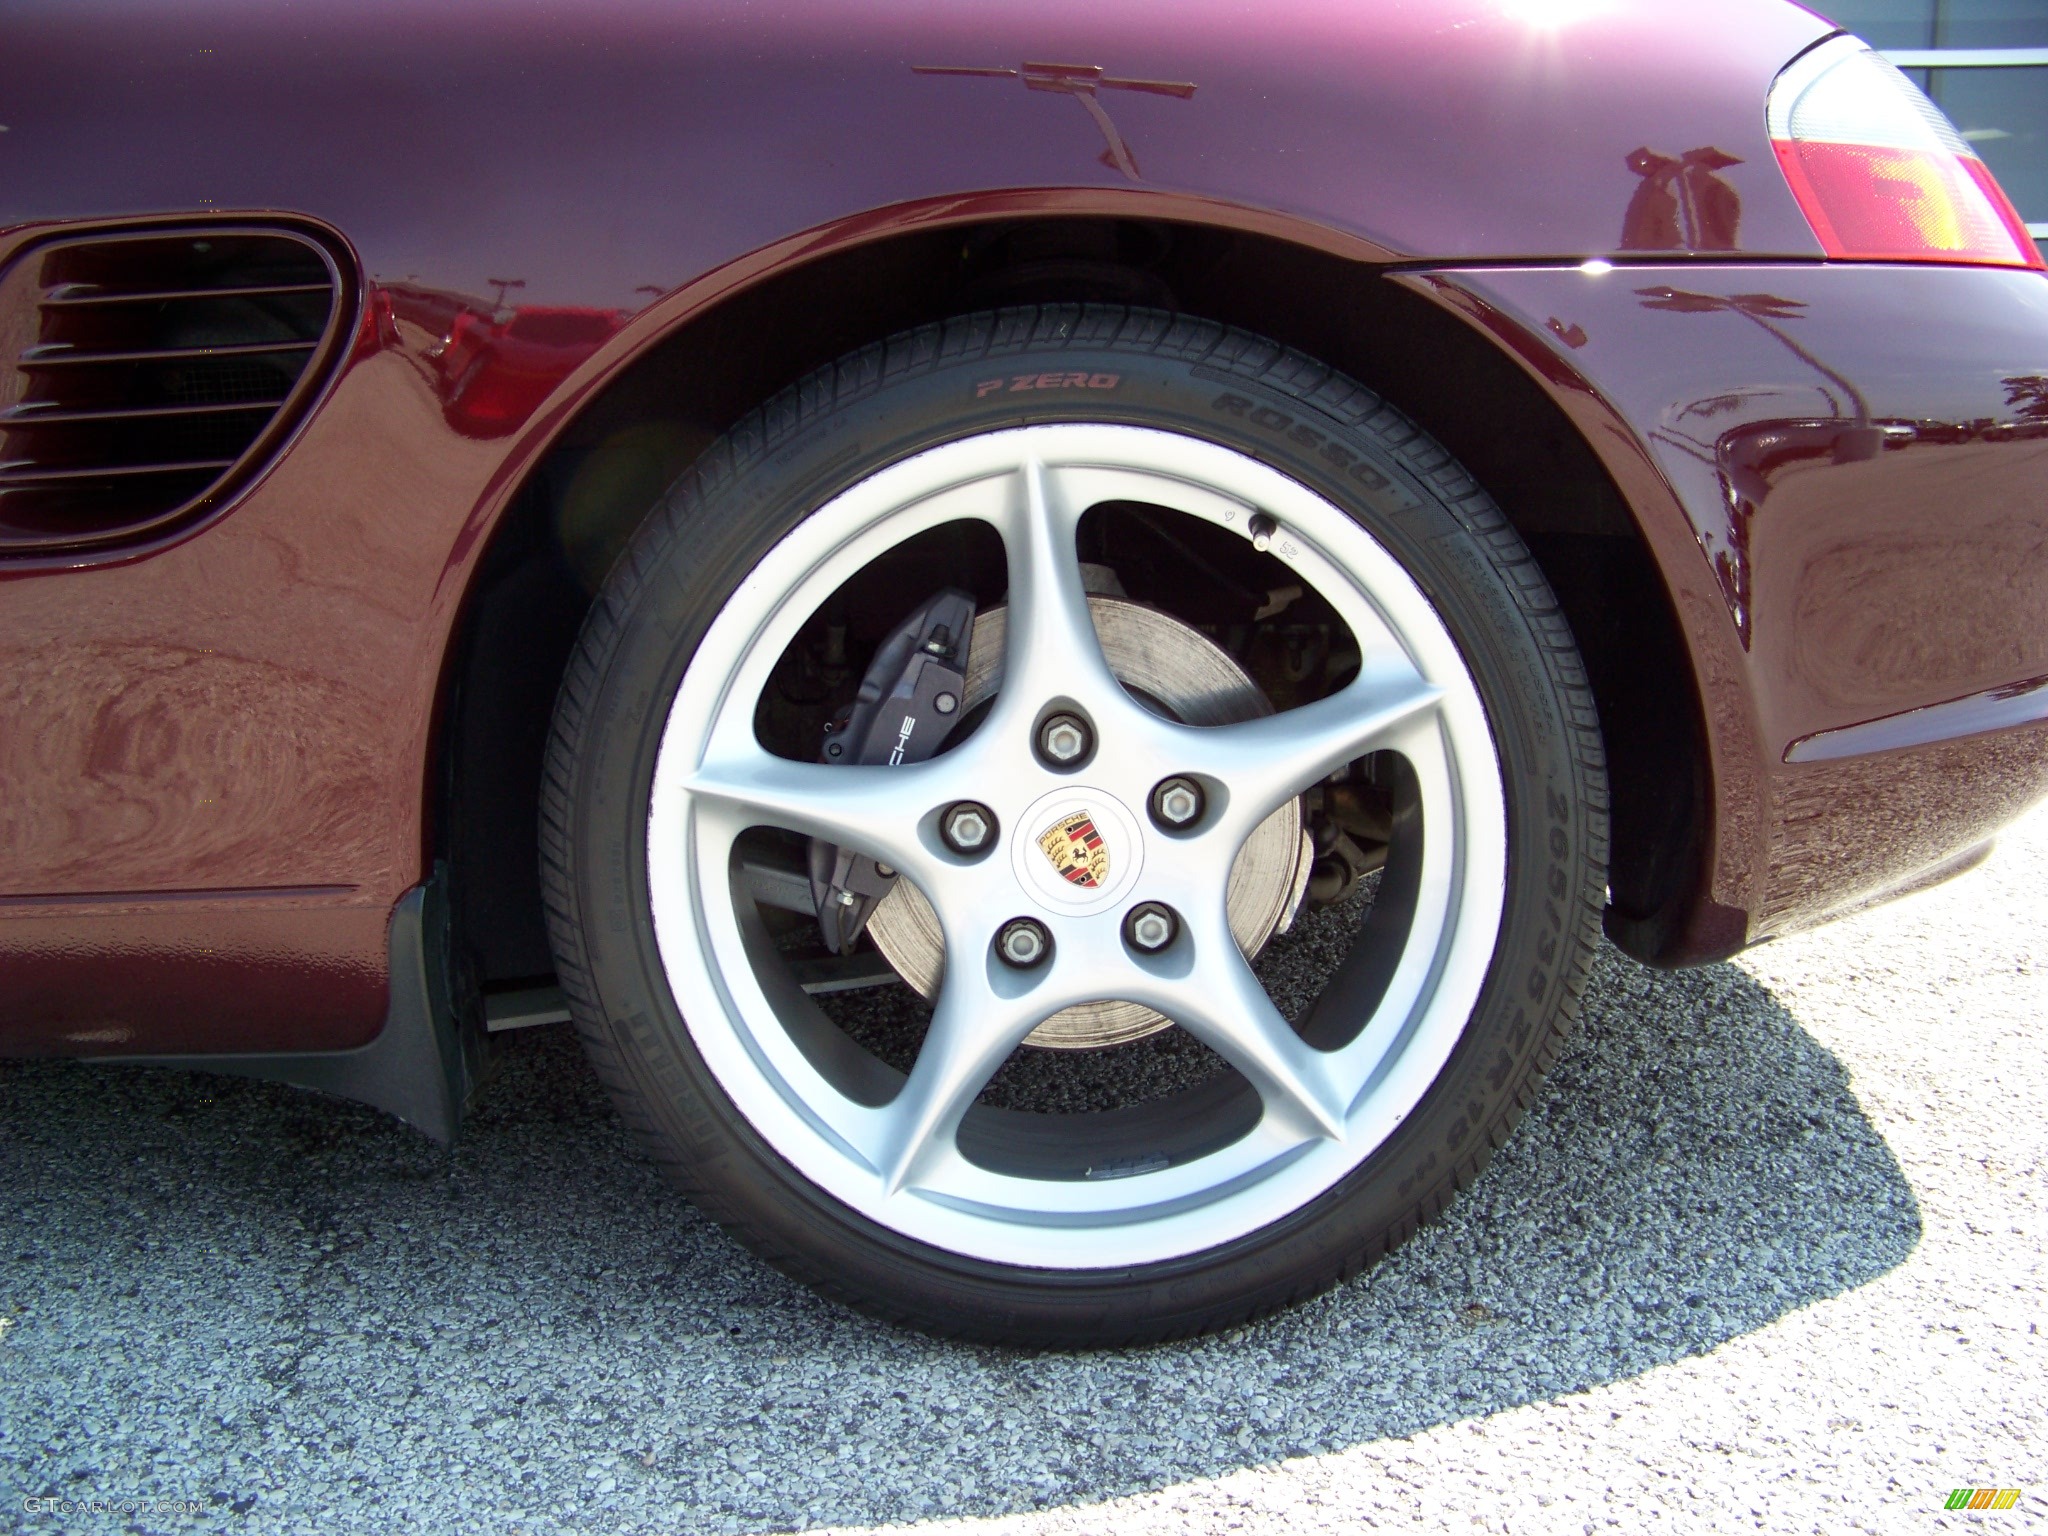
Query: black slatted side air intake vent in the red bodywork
[(148, 376)]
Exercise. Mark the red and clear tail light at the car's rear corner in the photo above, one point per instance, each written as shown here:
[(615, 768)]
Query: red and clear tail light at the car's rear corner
[(1881, 173)]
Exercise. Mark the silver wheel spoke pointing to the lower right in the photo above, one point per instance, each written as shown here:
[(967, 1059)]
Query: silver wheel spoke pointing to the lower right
[(1224, 1005)]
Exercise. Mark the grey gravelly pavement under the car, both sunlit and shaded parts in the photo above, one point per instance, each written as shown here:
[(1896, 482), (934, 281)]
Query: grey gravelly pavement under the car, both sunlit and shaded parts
[(1768, 1254)]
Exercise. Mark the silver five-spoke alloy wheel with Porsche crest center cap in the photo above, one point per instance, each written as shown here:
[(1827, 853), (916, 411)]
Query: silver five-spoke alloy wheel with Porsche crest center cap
[(896, 1154)]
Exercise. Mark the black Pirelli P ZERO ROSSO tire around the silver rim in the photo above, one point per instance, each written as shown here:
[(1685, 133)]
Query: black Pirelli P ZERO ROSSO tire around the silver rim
[(929, 386)]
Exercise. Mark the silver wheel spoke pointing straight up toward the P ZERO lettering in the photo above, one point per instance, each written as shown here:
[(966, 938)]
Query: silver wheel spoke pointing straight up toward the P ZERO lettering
[(1052, 634)]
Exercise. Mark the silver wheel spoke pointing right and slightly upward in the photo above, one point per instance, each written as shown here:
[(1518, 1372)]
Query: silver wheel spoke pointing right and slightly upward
[(1277, 757)]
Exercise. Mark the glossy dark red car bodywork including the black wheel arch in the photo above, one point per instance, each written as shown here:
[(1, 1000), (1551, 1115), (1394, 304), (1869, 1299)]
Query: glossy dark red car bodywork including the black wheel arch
[(224, 751)]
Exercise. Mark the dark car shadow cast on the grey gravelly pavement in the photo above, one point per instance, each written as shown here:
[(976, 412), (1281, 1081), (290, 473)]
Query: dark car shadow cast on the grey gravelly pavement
[(265, 1299)]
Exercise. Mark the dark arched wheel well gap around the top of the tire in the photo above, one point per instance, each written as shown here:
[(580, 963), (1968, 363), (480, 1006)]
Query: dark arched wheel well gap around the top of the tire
[(587, 497)]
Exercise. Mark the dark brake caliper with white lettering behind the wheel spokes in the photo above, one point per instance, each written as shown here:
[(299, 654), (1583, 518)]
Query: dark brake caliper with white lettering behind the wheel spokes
[(906, 706)]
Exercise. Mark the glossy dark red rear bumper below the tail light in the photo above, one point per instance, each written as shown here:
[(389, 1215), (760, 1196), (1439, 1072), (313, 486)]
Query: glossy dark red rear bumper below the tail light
[(1842, 472)]
